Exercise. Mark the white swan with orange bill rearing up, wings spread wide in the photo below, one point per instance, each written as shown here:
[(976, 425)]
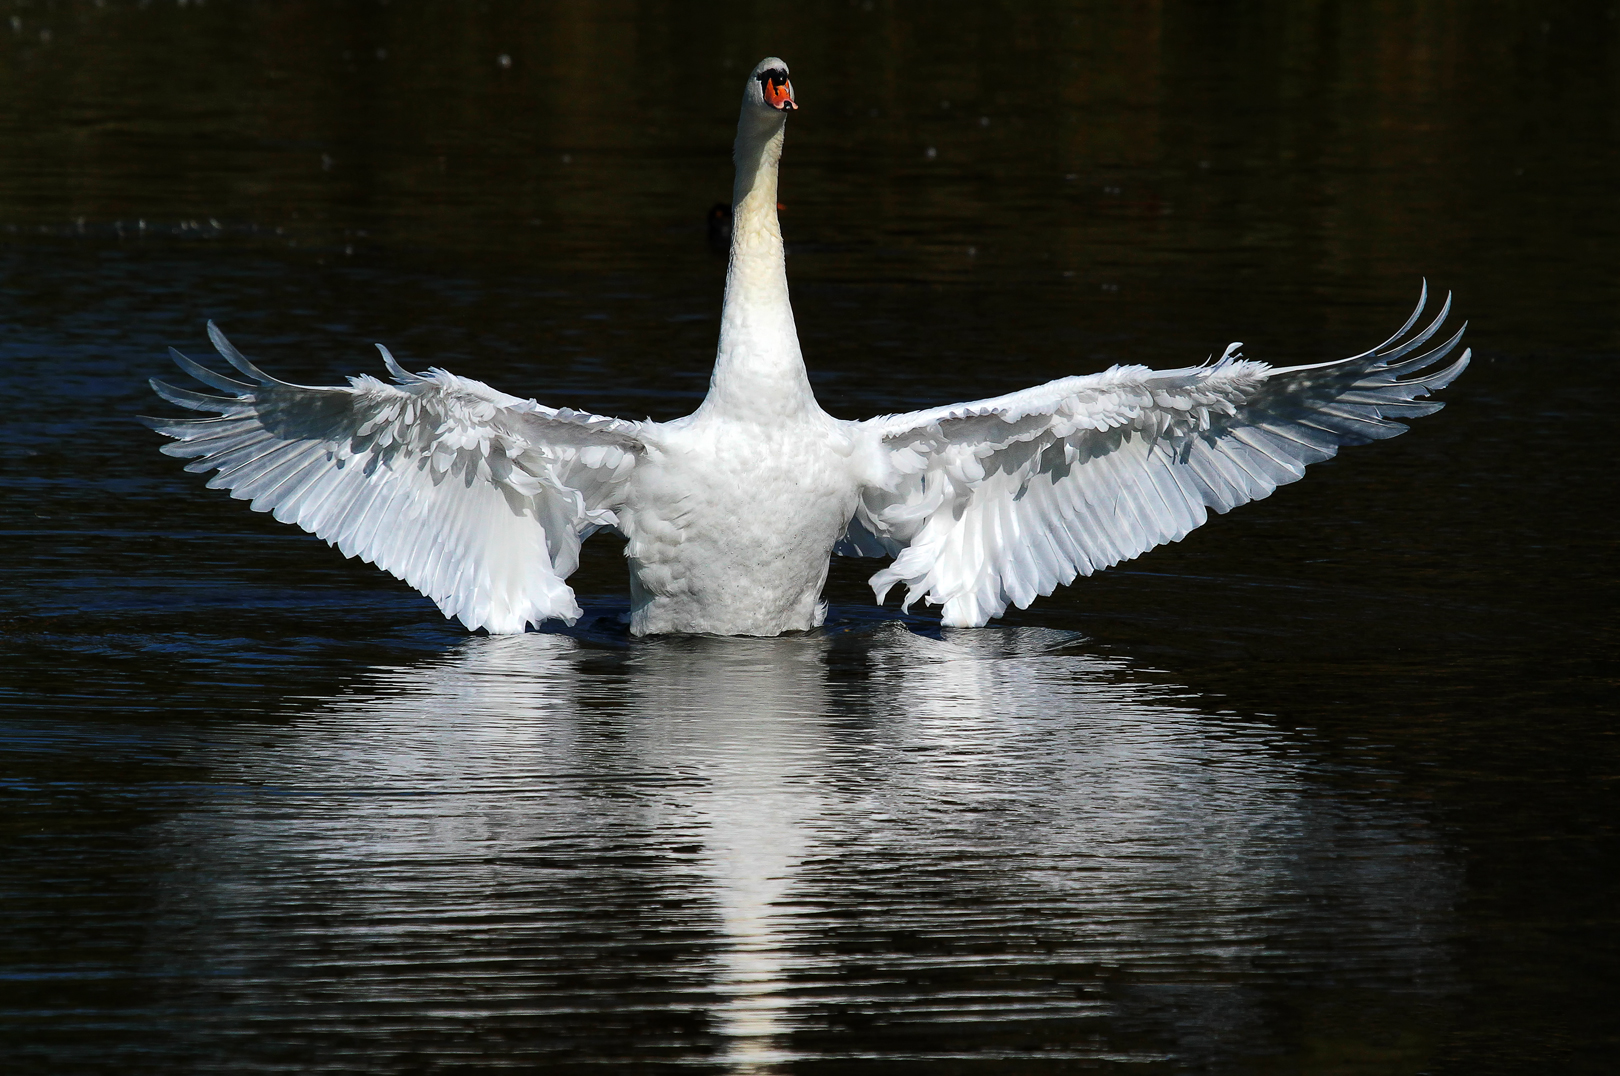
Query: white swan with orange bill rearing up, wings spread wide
[(731, 515)]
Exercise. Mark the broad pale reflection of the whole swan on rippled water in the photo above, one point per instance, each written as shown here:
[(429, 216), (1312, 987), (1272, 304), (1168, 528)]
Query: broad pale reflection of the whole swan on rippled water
[(762, 847)]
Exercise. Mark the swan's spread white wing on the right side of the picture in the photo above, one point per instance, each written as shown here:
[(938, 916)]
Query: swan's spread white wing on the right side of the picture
[(1000, 502)]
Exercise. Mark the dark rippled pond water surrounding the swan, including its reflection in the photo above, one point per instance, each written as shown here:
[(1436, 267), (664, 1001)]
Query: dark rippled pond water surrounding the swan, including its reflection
[(1328, 788)]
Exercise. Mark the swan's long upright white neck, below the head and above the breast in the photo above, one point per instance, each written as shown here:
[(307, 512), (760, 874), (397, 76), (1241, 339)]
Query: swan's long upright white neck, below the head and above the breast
[(759, 370)]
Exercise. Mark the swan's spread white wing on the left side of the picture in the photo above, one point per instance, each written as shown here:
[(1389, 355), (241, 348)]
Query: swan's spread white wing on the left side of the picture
[(475, 498)]
